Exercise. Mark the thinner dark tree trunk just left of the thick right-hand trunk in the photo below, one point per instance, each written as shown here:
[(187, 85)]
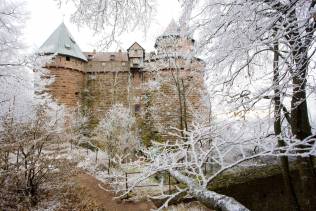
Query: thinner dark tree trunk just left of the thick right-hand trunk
[(288, 185)]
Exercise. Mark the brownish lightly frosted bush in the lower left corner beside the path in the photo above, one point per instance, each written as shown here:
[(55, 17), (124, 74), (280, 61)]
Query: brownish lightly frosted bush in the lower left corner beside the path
[(29, 157)]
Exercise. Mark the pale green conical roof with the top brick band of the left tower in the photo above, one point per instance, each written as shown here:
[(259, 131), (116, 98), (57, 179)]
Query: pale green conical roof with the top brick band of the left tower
[(66, 53)]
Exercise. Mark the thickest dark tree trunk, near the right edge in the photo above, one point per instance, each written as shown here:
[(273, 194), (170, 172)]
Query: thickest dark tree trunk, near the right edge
[(300, 125)]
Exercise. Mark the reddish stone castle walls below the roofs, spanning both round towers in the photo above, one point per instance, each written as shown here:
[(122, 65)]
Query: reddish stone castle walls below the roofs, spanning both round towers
[(153, 97)]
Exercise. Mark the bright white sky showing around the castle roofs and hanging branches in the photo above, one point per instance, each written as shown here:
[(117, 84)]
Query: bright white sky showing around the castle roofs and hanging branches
[(45, 17)]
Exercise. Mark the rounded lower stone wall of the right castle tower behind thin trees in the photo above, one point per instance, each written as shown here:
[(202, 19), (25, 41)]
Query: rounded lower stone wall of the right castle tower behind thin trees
[(178, 98)]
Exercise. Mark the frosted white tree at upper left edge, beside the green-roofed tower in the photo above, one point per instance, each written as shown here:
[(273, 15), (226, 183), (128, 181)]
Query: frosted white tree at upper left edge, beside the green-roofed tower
[(12, 74)]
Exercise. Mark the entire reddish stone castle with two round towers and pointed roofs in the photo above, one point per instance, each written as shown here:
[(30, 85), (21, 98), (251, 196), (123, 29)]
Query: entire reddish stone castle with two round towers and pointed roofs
[(162, 88)]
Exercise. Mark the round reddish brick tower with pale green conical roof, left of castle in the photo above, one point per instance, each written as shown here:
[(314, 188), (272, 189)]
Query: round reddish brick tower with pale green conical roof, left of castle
[(66, 66)]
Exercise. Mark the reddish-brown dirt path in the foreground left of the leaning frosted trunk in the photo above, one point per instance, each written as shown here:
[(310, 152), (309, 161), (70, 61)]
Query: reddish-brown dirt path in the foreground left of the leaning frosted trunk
[(104, 199)]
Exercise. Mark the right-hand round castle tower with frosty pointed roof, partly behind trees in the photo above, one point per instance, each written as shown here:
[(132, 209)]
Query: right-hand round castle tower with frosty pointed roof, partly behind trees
[(179, 75)]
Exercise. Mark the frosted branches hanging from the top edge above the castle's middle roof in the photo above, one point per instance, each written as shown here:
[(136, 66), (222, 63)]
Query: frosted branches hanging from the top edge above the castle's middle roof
[(111, 18)]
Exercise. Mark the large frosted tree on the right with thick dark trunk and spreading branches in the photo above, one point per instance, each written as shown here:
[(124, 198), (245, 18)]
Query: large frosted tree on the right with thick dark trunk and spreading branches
[(238, 39)]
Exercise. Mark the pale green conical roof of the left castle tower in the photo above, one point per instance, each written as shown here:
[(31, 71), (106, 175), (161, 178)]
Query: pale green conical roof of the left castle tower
[(61, 42)]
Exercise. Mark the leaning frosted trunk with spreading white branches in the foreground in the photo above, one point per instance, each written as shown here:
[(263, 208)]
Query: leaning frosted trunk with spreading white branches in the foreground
[(185, 159)]
